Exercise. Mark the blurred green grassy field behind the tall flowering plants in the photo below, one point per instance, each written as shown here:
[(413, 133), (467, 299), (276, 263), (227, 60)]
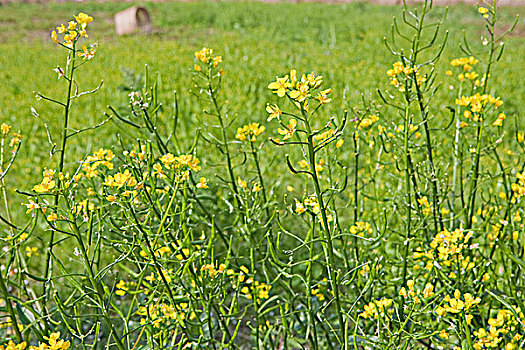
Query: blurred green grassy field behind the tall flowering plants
[(343, 42)]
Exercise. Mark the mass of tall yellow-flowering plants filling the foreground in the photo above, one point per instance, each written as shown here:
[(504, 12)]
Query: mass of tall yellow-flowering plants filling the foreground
[(395, 224)]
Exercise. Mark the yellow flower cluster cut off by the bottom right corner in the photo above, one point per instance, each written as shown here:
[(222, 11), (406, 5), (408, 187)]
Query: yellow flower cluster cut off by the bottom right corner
[(503, 332)]
